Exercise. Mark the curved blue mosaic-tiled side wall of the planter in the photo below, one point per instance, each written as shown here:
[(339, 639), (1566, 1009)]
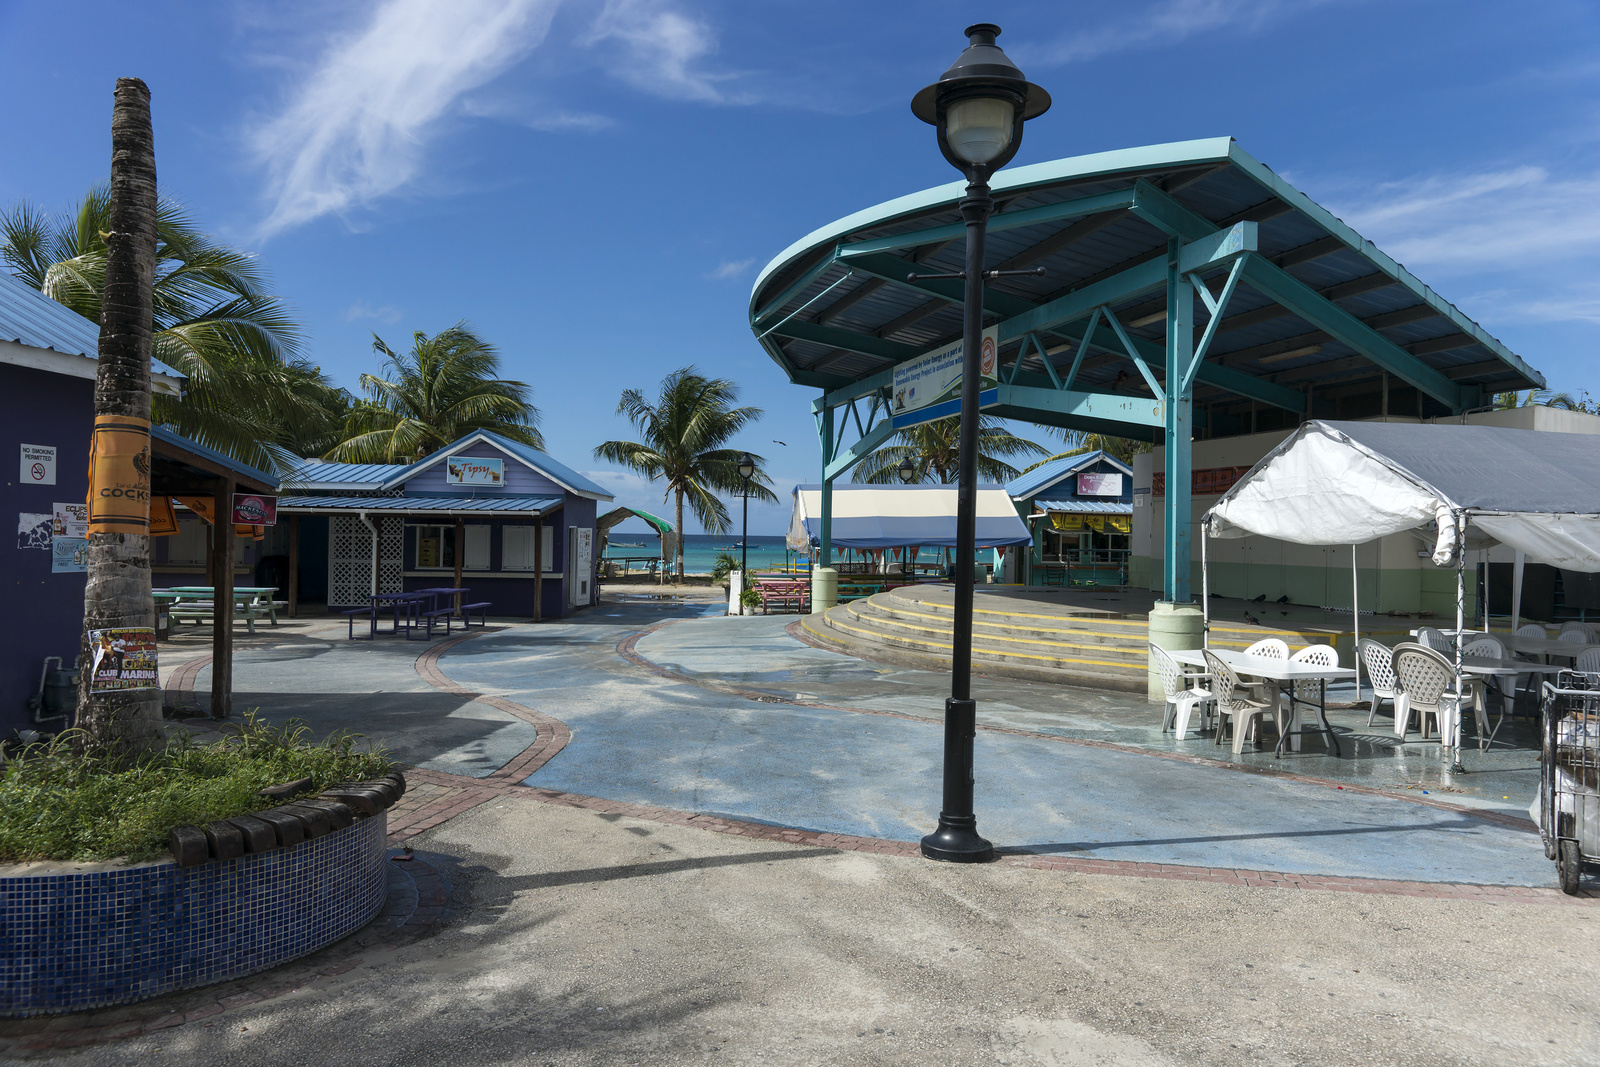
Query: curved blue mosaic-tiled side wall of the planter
[(79, 941)]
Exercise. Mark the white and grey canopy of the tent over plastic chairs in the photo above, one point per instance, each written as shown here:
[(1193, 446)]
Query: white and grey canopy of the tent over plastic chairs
[(1354, 482)]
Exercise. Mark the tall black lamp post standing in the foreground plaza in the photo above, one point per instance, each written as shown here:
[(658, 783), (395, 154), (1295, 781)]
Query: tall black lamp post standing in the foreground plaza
[(978, 106)]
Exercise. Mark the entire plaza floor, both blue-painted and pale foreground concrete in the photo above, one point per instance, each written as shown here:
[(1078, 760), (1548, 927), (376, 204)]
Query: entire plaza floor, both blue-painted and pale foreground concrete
[(599, 935)]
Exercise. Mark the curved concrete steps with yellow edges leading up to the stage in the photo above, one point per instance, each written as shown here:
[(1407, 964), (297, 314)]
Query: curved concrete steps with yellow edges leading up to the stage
[(1092, 652)]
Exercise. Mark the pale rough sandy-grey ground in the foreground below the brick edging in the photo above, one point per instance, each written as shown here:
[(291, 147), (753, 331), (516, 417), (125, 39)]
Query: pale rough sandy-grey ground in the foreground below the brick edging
[(583, 938)]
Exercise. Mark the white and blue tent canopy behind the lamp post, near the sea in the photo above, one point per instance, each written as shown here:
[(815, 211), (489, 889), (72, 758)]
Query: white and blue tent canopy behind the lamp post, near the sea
[(892, 516)]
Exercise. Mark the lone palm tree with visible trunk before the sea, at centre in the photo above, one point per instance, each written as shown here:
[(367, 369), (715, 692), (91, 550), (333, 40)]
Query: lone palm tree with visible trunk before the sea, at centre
[(686, 433)]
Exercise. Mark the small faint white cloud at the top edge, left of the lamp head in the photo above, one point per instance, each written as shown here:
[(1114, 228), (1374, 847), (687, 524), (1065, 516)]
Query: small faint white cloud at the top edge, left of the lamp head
[(658, 49)]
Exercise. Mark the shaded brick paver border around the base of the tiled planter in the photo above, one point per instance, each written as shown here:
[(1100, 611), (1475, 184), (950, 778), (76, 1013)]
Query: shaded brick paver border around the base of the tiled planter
[(402, 924)]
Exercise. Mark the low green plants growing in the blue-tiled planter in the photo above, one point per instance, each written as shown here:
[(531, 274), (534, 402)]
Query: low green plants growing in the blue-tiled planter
[(62, 804)]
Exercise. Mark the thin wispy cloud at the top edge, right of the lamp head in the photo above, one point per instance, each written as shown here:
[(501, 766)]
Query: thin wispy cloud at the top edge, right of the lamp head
[(1166, 23)]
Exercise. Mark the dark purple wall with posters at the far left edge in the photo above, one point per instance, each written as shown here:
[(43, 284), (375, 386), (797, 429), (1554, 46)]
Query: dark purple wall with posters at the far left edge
[(44, 610)]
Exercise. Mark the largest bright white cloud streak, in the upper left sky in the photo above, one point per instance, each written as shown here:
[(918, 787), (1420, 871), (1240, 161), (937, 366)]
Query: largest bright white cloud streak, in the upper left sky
[(356, 129)]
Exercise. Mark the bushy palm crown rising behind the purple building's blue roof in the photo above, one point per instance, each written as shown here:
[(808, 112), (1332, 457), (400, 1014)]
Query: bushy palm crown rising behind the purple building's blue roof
[(446, 388)]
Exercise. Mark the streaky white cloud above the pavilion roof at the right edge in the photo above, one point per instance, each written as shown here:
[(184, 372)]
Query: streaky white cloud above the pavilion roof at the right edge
[(1526, 236)]
